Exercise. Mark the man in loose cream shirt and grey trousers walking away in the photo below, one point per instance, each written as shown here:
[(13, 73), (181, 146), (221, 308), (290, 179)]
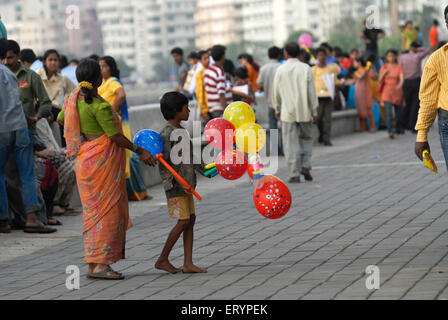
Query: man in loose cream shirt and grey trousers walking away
[(295, 103)]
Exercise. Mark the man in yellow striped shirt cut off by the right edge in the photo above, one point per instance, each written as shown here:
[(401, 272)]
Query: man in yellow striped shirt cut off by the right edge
[(434, 100)]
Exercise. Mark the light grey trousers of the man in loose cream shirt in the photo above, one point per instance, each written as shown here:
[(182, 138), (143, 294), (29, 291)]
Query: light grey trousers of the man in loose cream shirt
[(297, 146)]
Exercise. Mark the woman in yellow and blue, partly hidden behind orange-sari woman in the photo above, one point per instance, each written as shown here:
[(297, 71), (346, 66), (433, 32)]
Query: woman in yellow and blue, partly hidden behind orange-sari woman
[(112, 91)]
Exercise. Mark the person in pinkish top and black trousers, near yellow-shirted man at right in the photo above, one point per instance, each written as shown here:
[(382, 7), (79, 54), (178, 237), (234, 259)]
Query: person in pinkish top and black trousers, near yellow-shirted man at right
[(411, 63)]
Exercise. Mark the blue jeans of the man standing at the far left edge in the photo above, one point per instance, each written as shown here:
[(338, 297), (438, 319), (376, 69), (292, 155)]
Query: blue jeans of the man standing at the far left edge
[(20, 144)]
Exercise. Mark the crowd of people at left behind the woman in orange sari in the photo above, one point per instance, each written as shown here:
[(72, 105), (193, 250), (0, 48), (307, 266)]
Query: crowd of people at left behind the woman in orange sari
[(37, 178)]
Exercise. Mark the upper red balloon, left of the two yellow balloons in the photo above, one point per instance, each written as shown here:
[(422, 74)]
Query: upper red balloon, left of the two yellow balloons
[(218, 132)]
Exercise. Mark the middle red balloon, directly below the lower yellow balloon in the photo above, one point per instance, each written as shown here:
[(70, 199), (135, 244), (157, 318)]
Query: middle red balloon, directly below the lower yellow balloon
[(231, 164)]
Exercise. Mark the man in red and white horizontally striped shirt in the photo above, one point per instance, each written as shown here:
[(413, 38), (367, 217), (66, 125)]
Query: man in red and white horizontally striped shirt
[(218, 92)]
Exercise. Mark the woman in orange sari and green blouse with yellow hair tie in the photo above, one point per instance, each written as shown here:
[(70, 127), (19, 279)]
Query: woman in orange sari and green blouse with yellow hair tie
[(93, 134)]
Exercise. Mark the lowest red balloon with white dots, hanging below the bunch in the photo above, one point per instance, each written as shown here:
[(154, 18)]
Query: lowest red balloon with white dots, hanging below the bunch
[(273, 199)]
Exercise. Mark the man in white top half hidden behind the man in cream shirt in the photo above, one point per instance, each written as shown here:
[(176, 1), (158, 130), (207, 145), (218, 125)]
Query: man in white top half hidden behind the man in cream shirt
[(265, 81)]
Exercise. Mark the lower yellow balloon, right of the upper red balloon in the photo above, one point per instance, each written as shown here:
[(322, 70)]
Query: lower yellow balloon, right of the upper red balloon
[(250, 138)]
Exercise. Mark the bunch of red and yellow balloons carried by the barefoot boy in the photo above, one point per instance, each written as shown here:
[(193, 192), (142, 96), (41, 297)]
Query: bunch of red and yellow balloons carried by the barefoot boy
[(237, 134)]
